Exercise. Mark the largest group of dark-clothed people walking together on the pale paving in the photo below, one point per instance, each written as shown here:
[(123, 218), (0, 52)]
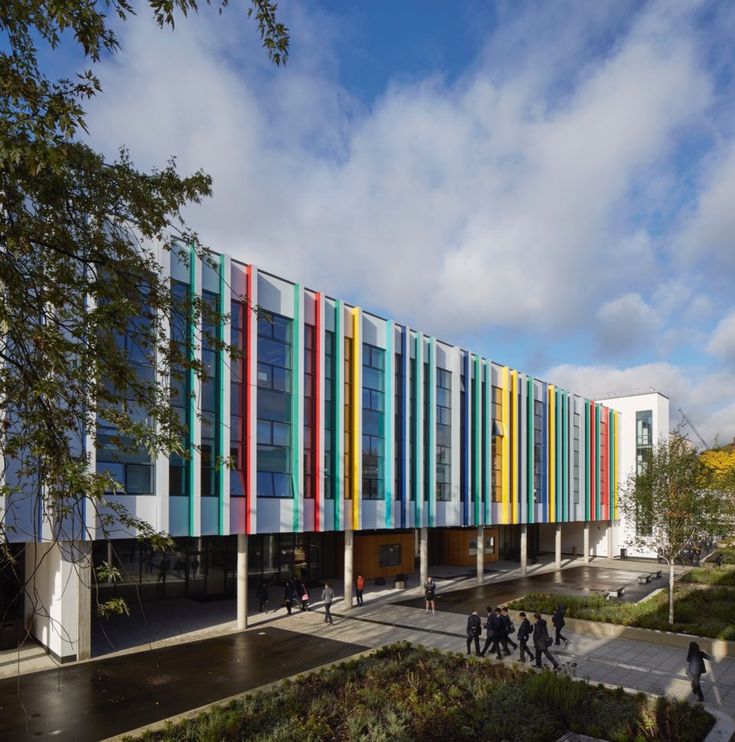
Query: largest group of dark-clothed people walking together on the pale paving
[(500, 627)]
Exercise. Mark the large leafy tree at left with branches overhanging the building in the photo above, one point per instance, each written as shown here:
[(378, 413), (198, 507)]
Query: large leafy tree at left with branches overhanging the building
[(85, 354)]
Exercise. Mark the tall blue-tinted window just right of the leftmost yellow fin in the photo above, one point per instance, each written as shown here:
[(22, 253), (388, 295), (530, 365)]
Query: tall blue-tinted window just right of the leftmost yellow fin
[(373, 422)]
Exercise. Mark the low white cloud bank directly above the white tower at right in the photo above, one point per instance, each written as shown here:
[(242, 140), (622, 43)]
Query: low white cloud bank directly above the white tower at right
[(707, 397)]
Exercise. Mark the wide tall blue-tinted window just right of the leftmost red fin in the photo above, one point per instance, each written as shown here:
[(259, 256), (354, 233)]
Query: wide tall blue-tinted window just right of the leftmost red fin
[(274, 406)]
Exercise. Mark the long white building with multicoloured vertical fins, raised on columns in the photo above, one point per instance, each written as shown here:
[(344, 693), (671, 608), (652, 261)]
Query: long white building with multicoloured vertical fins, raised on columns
[(359, 445)]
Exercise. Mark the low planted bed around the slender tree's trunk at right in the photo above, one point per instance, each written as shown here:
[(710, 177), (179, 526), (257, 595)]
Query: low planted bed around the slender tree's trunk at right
[(697, 611)]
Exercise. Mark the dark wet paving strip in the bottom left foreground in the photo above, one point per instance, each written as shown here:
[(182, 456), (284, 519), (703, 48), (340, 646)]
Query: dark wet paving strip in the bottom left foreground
[(95, 700)]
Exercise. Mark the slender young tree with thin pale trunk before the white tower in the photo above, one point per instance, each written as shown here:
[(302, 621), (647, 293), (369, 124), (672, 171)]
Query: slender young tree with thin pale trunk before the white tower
[(673, 503)]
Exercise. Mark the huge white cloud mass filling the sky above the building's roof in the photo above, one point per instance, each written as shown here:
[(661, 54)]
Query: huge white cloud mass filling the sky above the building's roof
[(457, 207)]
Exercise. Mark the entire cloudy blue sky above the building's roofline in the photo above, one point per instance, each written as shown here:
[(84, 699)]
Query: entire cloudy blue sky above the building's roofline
[(550, 184)]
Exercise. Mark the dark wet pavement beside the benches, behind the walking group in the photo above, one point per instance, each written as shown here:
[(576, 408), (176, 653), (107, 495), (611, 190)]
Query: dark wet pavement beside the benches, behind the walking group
[(571, 581)]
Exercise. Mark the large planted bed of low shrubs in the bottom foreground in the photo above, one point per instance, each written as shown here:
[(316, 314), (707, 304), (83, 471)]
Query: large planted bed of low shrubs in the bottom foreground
[(403, 693)]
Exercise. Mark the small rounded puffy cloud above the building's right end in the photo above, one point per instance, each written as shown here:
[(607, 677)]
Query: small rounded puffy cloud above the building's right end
[(627, 324)]
